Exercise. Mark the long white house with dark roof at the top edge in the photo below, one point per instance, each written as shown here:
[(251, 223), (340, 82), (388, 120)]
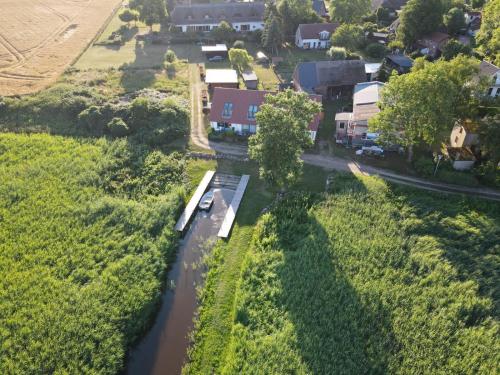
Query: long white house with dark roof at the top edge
[(248, 16)]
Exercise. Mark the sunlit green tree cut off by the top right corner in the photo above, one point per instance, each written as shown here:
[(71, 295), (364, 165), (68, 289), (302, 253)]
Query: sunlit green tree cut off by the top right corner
[(488, 38)]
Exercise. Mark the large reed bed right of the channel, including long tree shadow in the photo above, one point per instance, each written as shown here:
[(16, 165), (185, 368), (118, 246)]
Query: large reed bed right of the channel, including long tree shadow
[(369, 278)]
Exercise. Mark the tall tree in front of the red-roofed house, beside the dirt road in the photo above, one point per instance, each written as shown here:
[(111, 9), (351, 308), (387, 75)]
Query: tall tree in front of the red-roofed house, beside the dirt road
[(283, 121)]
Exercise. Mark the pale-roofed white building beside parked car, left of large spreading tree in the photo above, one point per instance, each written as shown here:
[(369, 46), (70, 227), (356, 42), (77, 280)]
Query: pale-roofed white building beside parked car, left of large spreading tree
[(352, 127)]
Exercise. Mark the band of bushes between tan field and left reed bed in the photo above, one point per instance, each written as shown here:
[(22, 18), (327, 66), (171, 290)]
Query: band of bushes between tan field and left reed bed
[(85, 103)]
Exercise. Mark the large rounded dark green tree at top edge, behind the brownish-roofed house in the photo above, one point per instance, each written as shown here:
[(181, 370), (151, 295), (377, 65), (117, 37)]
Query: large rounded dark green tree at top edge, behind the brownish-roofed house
[(418, 18)]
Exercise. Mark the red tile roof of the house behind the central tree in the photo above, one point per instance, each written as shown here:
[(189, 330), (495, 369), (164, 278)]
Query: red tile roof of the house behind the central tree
[(241, 100)]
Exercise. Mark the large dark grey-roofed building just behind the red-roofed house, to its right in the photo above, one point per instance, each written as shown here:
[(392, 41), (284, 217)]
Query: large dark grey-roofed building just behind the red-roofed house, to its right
[(331, 79)]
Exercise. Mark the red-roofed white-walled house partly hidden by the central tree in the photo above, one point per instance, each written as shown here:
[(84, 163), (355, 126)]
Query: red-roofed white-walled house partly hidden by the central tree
[(236, 109)]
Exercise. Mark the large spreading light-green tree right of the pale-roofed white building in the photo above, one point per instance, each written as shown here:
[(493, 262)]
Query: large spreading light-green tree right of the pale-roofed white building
[(423, 105)]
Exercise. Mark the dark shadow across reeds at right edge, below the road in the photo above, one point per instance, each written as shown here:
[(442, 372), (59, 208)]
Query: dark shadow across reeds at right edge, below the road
[(467, 231)]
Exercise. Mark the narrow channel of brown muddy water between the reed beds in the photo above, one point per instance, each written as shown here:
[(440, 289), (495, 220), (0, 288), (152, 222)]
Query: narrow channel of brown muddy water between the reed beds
[(163, 350)]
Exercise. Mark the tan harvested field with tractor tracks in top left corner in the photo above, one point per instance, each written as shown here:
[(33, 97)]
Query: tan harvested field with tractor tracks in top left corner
[(40, 38)]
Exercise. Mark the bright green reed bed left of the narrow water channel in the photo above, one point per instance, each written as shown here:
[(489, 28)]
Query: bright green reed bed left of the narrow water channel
[(86, 230)]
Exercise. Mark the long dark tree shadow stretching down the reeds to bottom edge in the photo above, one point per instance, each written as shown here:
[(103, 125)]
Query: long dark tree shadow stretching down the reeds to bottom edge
[(338, 330)]
